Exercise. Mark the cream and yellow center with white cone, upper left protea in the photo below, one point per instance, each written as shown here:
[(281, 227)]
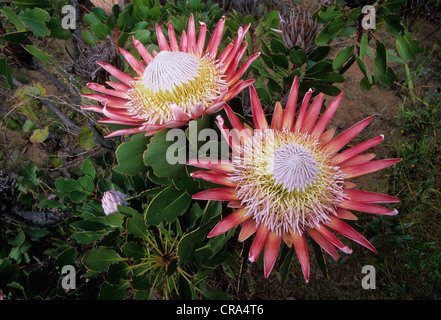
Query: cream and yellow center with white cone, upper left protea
[(175, 79)]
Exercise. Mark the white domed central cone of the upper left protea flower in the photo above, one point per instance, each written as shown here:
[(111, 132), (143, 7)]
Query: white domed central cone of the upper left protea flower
[(169, 70)]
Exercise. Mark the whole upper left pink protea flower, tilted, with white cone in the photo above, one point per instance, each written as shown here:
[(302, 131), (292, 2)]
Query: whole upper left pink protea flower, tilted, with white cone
[(177, 84)]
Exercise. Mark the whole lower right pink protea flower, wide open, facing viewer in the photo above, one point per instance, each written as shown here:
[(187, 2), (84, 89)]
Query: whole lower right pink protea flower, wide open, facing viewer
[(289, 179)]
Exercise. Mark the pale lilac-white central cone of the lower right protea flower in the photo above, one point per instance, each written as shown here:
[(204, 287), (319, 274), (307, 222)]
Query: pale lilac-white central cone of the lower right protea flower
[(294, 166)]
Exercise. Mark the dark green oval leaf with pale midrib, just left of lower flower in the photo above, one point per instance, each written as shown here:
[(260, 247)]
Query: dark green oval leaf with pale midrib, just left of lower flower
[(167, 205)]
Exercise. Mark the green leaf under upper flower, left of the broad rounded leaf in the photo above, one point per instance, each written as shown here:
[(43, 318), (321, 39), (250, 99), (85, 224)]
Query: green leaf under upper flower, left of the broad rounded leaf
[(130, 155)]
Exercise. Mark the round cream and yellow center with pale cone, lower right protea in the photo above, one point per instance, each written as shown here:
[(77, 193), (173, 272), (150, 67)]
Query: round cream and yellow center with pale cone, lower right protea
[(286, 181)]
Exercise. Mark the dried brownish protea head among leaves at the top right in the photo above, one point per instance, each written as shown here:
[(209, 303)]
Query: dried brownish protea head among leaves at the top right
[(299, 30)]
